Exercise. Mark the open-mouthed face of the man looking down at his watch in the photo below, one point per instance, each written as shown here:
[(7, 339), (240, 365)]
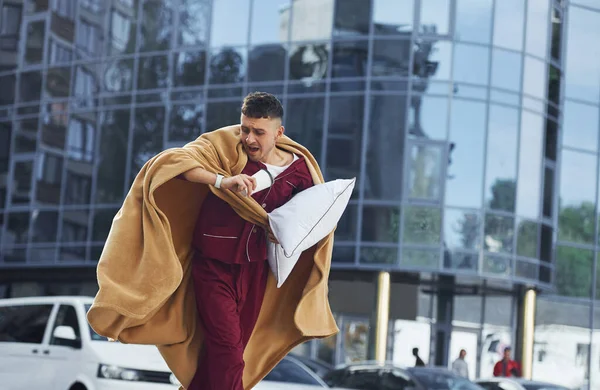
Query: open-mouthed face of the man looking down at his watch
[(259, 135)]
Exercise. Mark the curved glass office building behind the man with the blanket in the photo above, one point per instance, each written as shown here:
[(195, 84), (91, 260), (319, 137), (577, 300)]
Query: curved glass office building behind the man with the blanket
[(472, 127)]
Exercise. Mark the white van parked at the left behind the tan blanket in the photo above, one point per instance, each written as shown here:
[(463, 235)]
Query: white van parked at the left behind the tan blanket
[(46, 343)]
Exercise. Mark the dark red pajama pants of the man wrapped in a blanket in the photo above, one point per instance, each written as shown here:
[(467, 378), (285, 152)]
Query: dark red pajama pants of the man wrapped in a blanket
[(228, 299)]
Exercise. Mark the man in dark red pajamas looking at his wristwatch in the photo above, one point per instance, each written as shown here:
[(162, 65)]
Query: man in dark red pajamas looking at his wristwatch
[(230, 268)]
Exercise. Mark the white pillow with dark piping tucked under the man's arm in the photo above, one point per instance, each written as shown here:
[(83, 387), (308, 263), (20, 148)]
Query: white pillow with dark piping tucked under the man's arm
[(304, 221)]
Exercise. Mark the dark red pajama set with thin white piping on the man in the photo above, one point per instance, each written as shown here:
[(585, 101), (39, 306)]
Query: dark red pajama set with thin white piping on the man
[(230, 275)]
